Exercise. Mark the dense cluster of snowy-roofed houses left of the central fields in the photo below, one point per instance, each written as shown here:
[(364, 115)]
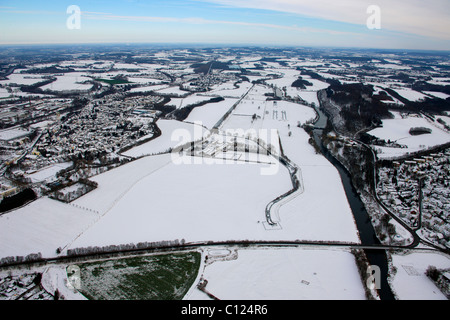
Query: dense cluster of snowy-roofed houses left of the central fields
[(103, 127)]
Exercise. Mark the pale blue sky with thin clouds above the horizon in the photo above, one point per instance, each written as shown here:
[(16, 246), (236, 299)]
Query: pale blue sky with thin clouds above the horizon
[(395, 24)]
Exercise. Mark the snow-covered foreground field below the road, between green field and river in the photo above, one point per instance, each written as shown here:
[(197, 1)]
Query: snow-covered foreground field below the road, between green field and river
[(282, 274)]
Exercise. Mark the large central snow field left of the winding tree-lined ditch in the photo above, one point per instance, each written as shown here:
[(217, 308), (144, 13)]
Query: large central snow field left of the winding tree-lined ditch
[(196, 202)]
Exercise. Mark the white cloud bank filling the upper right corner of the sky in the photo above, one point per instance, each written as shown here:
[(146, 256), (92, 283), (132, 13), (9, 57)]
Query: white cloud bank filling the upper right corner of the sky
[(426, 18)]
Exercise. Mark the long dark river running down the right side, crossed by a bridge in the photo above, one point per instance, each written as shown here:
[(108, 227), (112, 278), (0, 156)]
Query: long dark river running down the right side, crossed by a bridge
[(367, 233)]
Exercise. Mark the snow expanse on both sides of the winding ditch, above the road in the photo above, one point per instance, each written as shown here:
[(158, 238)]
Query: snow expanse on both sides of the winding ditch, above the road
[(153, 199)]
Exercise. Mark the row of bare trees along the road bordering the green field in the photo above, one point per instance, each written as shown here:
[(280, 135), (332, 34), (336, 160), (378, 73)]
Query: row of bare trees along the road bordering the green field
[(124, 247)]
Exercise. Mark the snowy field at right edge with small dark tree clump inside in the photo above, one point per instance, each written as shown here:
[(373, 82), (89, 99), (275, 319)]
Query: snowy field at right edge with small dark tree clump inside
[(397, 129)]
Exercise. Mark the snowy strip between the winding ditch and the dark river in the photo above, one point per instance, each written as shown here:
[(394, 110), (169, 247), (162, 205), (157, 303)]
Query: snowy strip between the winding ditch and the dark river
[(322, 211)]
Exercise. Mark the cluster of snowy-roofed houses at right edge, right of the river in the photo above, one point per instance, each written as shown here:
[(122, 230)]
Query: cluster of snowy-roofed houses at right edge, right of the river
[(418, 191)]
